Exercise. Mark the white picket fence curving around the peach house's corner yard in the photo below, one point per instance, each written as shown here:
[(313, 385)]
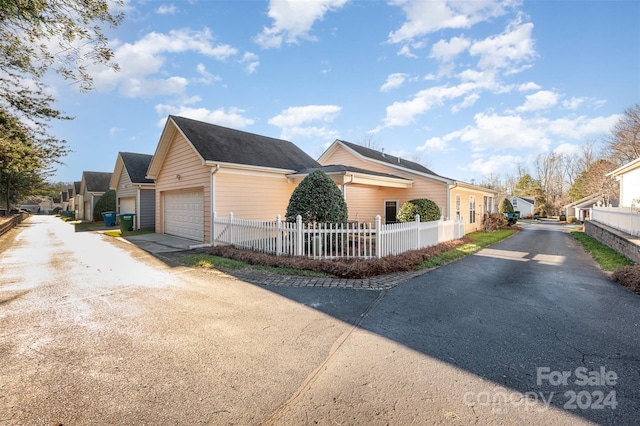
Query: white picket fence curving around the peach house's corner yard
[(351, 240)]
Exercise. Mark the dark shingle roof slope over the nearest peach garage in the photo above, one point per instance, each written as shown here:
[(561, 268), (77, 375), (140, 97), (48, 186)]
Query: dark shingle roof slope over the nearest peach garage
[(221, 144)]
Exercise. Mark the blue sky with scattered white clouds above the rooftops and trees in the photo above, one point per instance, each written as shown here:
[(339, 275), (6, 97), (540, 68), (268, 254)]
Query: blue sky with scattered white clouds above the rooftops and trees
[(466, 88)]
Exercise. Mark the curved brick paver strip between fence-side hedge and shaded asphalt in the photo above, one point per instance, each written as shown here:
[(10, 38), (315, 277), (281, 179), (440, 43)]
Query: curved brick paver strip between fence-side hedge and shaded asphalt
[(382, 282)]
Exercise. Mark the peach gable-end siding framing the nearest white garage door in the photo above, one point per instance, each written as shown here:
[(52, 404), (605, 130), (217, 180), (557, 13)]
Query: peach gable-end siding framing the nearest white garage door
[(181, 160)]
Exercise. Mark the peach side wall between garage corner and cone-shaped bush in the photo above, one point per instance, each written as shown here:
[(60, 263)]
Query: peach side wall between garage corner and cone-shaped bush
[(252, 195)]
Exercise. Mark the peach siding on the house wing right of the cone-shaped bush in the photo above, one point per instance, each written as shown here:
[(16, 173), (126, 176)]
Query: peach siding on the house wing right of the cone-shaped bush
[(423, 187)]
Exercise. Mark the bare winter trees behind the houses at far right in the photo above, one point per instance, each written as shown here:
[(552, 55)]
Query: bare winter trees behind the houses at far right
[(555, 179)]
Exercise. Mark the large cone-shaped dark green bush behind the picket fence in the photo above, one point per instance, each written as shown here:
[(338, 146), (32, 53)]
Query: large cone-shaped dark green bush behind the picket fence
[(318, 200)]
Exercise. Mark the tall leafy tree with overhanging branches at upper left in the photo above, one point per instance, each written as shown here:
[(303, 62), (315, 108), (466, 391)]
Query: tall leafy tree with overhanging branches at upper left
[(37, 38)]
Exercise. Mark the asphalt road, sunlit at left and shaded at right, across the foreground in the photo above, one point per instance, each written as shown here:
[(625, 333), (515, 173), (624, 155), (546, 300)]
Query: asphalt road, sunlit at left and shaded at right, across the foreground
[(96, 331)]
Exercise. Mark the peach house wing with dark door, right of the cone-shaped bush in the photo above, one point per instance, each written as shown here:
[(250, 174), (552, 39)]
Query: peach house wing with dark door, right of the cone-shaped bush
[(384, 182)]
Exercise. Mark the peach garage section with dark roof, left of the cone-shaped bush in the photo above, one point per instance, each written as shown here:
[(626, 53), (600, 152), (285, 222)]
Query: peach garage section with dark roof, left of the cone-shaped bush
[(201, 168)]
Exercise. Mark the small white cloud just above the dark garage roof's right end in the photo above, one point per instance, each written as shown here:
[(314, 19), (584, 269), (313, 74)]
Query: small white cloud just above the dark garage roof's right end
[(296, 121)]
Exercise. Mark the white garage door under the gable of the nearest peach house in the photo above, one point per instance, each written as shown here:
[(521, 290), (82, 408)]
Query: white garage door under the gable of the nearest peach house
[(184, 214)]
